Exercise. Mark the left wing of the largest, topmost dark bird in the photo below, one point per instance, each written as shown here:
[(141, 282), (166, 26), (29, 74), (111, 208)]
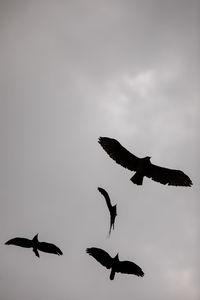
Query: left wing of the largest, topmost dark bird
[(117, 152)]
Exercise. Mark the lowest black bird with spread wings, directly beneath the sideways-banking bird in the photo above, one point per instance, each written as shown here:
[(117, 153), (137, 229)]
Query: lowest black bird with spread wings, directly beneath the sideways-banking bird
[(116, 266)]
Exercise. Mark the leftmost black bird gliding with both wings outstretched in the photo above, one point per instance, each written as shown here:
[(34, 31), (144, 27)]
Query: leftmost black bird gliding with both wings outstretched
[(35, 244)]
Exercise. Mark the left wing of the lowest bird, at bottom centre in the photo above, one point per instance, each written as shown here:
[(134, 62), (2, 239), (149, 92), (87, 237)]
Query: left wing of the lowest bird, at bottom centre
[(101, 256)]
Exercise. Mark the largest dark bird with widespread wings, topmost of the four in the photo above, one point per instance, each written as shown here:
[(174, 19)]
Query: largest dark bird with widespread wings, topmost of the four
[(142, 166)]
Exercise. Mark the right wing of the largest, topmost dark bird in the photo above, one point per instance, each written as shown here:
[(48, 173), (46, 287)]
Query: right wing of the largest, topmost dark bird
[(167, 176)]
